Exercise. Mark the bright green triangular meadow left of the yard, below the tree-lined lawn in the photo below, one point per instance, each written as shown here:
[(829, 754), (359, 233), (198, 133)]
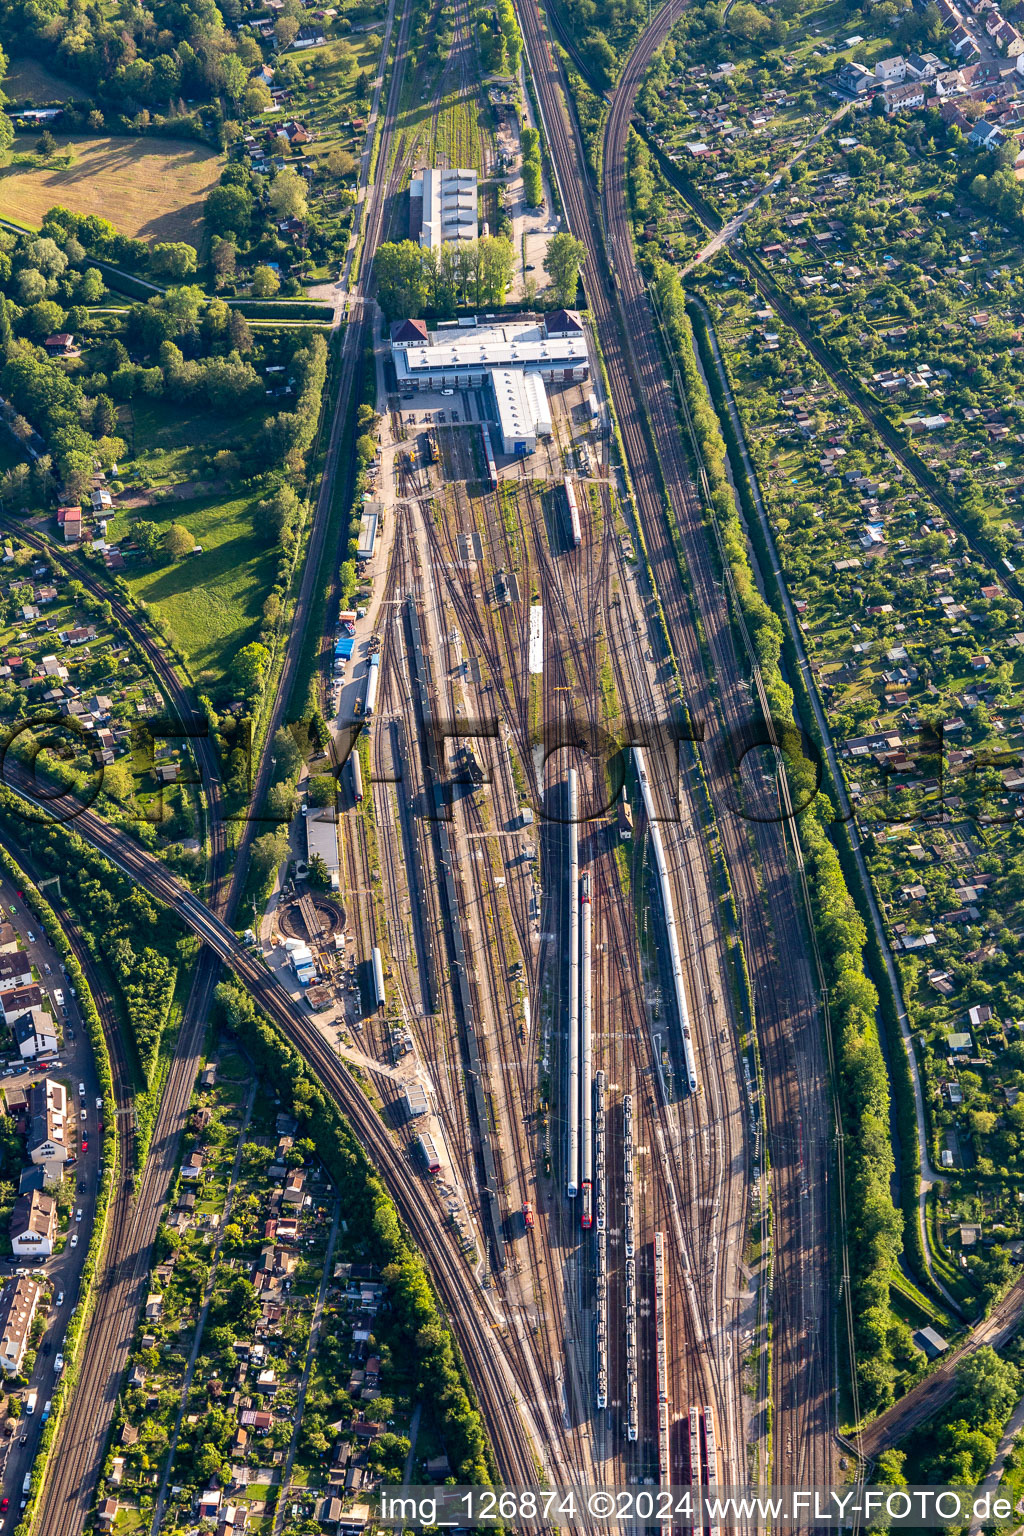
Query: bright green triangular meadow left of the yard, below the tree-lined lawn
[(213, 601)]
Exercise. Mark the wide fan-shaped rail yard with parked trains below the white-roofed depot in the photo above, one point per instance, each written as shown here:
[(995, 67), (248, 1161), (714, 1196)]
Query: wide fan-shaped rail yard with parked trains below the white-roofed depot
[(537, 661)]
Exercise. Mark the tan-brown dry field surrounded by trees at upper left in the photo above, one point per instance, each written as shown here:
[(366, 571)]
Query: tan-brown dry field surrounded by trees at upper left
[(148, 188)]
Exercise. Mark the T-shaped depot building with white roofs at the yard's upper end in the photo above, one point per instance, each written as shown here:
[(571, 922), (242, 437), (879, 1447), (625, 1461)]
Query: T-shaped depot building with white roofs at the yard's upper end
[(512, 360)]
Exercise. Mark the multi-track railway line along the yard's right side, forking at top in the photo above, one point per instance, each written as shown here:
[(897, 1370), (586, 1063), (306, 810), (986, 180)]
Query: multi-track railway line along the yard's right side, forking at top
[(758, 856)]
